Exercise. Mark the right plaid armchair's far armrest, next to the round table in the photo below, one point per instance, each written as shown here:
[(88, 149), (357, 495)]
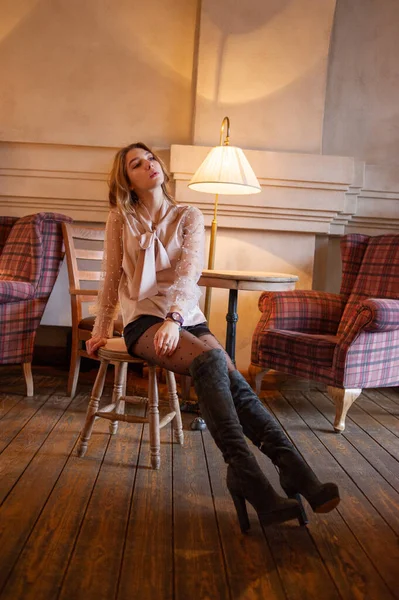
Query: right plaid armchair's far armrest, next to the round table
[(308, 311)]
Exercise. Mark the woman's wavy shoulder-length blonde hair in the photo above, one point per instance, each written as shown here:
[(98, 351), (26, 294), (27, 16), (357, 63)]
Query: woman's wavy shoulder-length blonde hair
[(120, 194)]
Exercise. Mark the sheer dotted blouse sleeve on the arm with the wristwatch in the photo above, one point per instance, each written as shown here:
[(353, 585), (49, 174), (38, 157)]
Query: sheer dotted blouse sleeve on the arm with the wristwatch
[(185, 293)]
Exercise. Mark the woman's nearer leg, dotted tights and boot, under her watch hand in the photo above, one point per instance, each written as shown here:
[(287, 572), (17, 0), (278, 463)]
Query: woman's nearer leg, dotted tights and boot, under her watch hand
[(208, 368)]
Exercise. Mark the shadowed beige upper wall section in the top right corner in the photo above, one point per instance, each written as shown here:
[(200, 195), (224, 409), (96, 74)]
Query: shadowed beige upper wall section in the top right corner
[(362, 103)]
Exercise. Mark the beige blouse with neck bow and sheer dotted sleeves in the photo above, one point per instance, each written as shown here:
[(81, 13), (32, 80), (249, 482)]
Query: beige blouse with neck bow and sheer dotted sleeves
[(150, 267)]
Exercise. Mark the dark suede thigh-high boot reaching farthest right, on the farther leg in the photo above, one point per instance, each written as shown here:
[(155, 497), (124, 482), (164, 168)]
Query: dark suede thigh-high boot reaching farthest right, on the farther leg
[(296, 477)]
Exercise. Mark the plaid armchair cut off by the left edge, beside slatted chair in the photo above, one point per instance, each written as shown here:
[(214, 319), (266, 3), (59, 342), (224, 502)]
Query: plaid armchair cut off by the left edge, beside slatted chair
[(29, 263)]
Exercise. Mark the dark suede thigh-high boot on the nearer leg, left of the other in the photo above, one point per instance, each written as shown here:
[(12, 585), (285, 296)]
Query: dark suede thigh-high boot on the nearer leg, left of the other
[(245, 479)]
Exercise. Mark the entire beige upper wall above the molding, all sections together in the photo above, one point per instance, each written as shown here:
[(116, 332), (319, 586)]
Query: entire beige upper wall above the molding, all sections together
[(102, 73)]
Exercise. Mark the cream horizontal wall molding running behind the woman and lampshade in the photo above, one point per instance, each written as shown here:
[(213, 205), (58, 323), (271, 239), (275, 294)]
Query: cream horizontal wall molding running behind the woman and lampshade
[(306, 193)]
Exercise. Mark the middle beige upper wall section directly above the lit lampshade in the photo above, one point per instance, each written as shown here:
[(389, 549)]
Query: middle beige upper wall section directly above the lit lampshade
[(264, 63)]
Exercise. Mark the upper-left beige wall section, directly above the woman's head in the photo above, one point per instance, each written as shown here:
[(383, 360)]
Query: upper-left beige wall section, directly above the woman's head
[(96, 72)]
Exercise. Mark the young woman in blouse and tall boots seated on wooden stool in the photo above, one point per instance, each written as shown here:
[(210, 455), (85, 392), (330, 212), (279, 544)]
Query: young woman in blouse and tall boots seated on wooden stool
[(153, 260)]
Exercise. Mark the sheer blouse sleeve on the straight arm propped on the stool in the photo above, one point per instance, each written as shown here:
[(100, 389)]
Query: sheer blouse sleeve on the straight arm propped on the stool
[(107, 301)]
